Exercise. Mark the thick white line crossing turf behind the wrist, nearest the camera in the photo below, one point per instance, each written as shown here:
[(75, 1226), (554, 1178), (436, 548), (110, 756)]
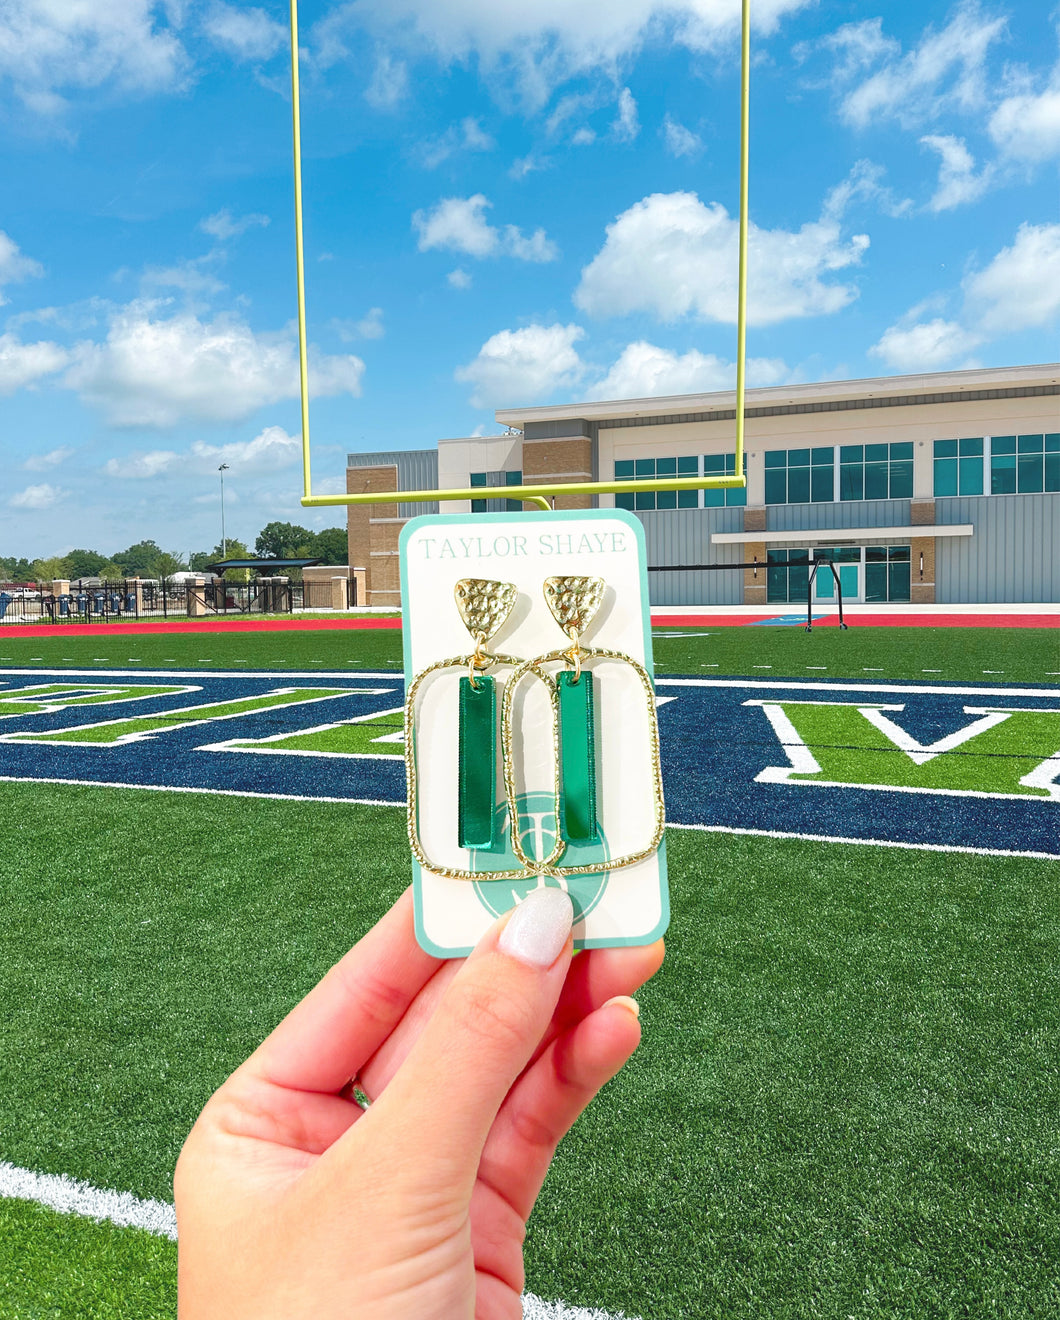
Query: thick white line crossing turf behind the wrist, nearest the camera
[(69, 1197)]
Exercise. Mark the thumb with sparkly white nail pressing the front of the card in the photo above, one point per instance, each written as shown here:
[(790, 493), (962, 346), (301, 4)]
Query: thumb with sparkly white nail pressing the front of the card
[(446, 1098)]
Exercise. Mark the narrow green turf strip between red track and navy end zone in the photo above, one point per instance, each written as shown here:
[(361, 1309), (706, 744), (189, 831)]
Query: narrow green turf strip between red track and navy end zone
[(929, 655)]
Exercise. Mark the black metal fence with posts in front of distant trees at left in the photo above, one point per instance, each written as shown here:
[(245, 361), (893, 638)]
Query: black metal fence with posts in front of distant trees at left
[(93, 601)]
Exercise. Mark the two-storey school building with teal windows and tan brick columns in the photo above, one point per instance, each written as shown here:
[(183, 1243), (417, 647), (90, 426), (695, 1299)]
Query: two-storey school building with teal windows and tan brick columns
[(941, 488)]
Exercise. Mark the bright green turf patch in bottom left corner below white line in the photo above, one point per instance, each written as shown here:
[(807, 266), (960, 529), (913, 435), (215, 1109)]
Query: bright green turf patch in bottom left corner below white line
[(65, 1268)]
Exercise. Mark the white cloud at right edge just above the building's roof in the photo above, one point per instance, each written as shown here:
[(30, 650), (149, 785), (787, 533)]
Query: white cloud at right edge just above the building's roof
[(1020, 290)]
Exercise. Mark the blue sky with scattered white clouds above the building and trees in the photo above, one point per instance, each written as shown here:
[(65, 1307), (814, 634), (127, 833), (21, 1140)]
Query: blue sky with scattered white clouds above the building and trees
[(505, 205)]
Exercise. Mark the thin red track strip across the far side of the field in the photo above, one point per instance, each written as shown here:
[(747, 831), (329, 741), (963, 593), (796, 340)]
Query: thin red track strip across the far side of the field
[(667, 621)]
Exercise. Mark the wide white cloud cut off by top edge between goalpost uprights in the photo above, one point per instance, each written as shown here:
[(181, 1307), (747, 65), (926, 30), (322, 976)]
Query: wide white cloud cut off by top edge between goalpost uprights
[(542, 46)]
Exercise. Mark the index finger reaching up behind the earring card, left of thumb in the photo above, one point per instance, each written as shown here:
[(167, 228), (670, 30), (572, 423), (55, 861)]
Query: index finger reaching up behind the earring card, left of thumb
[(352, 1012)]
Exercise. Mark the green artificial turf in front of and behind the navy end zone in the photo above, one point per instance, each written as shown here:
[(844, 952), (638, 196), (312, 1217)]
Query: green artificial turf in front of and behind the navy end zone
[(844, 1104)]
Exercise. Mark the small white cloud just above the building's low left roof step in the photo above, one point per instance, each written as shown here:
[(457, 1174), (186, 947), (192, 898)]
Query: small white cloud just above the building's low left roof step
[(521, 366)]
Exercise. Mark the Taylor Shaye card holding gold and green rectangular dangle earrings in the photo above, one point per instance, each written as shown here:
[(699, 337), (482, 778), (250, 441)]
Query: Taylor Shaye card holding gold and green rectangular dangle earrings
[(529, 679)]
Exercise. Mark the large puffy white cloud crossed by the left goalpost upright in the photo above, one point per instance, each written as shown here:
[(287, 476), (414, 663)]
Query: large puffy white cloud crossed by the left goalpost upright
[(155, 370)]
